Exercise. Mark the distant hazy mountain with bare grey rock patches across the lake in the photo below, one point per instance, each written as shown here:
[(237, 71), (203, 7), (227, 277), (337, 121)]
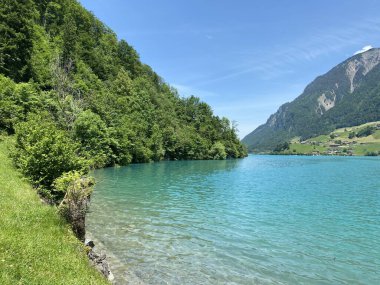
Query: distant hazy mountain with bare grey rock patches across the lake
[(347, 95)]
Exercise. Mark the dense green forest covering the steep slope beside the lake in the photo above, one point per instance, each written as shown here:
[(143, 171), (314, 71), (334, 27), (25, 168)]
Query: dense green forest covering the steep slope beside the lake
[(78, 98)]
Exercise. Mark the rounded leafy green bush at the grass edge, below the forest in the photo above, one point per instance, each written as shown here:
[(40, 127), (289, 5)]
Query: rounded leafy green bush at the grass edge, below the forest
[(44, 152)]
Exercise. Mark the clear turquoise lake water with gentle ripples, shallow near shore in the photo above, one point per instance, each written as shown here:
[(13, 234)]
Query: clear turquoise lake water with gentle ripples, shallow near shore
[(260, 220)]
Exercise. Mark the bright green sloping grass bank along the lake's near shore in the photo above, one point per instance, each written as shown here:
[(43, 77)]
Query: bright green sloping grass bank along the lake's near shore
[(36, 245)]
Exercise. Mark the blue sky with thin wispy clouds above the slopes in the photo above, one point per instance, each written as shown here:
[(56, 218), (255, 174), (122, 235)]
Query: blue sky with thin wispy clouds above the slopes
[(244, 58)]
